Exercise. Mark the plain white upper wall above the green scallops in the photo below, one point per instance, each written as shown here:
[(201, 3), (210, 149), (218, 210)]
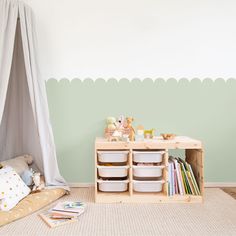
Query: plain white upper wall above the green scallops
[(136, 38)]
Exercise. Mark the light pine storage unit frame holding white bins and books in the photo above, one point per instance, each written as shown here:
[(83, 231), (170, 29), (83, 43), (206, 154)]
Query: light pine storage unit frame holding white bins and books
[(193, 155)]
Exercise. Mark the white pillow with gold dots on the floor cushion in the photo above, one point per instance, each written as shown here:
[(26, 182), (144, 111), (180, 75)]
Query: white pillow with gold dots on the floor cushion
[(12, 188)]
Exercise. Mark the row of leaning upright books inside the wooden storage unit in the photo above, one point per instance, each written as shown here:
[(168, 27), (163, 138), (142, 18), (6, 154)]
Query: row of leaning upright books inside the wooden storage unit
[(181, 179)]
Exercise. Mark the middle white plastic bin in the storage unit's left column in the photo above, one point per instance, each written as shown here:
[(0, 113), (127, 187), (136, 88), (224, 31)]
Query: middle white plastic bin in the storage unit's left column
[(112, 171)]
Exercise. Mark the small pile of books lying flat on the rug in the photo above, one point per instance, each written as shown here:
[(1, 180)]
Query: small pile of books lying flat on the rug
[(63, 213)]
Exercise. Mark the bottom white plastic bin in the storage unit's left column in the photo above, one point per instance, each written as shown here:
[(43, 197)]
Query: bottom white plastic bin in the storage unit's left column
[(113, 185)]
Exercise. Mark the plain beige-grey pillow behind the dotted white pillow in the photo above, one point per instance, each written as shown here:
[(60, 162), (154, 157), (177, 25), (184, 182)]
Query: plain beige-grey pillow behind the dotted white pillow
[(19, 164)]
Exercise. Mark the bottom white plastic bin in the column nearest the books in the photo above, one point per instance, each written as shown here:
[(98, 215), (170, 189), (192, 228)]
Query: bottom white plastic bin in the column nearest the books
[(148, 186)]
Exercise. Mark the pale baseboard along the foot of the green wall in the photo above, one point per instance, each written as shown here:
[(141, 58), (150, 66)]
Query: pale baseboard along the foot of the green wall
[(207, 185)]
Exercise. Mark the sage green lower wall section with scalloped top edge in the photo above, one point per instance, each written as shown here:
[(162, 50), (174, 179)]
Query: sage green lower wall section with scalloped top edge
[(203, 110)]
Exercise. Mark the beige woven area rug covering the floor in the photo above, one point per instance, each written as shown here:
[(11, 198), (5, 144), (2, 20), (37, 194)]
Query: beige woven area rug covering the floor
[(216, 216)]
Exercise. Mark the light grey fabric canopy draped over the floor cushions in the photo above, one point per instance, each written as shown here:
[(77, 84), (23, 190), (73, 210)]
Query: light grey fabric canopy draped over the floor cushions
[(24, 117)]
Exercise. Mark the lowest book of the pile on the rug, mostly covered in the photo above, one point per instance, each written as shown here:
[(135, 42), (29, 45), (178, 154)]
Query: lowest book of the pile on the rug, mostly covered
[(54, 222)]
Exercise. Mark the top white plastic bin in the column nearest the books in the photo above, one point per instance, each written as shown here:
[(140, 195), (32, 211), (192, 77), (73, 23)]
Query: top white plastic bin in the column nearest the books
[(148, 156)]
